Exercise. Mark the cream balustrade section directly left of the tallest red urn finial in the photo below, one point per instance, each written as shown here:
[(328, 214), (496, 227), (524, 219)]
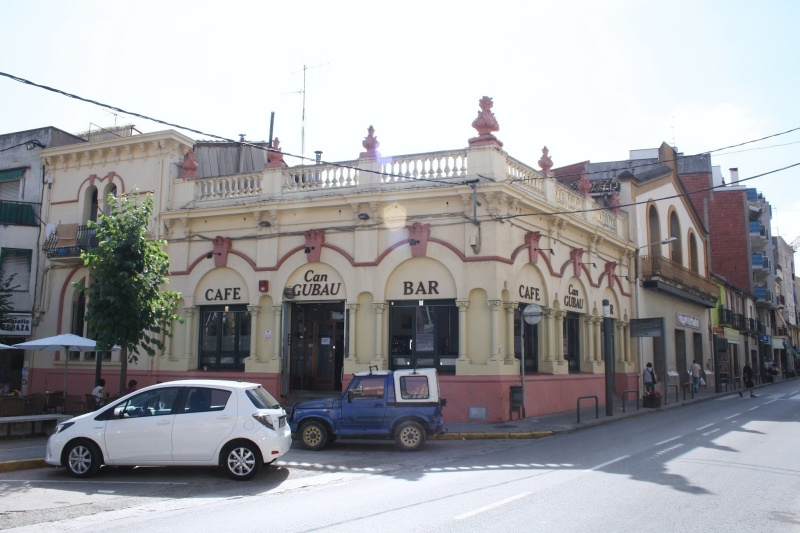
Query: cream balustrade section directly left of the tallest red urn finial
[(434, 165)]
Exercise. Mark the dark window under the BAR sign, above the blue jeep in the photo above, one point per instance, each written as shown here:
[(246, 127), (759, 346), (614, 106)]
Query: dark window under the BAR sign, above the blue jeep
[(424, 336)]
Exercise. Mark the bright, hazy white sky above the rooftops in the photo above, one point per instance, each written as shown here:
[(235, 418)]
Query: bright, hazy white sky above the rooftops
[(590, 80)]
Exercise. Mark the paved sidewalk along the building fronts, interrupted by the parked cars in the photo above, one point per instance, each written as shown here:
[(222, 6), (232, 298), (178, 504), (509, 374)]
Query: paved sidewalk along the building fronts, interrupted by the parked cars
[(25, 453)]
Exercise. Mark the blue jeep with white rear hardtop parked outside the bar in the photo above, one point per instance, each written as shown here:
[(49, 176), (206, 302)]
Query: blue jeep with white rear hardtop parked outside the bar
[(401, 404)]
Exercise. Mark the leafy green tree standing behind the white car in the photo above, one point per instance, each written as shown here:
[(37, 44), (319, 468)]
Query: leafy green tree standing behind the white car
[(126, 306)]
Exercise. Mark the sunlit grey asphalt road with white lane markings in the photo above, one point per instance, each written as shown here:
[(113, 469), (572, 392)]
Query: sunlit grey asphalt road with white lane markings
[(727, 465)]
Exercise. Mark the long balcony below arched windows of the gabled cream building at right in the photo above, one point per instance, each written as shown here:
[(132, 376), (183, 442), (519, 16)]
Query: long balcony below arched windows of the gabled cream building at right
[(662, 274)]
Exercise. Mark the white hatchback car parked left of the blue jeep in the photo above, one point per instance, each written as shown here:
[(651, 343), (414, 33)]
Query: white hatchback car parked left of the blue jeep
[(238, 426)]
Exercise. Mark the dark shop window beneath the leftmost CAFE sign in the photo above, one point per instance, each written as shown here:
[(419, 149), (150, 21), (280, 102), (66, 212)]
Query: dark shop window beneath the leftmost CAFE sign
[(224, 337)]
